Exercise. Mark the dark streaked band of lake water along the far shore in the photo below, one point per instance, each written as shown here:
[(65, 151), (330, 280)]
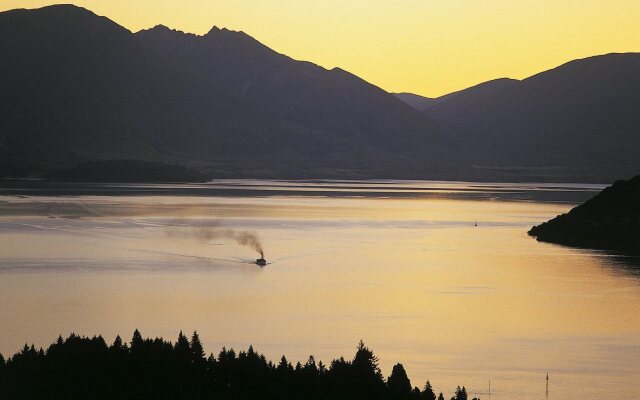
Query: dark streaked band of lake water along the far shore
[(387, 189)]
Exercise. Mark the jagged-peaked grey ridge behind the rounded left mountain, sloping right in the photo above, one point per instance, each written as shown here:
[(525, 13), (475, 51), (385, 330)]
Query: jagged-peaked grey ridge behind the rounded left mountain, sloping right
[(365, 120)]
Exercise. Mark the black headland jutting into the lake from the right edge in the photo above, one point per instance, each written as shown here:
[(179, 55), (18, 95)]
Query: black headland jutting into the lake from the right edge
[(609, 221)]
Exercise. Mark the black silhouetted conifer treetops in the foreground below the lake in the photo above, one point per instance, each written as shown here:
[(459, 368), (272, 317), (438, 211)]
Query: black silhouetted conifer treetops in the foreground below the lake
[(88, 368)]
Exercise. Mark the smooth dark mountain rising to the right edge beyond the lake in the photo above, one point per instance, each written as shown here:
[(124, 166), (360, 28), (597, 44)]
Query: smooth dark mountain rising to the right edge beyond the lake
[(579, 121)]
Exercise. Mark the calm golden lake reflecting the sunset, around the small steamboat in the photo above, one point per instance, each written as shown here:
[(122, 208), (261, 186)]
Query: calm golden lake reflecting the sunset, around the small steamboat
[(440, 276)]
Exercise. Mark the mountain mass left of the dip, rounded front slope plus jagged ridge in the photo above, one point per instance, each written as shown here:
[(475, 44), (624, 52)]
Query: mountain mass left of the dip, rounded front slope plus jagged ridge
[(76, 87)]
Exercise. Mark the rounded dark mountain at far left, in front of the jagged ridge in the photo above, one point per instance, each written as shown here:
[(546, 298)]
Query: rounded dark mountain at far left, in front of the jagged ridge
[(76, 86)]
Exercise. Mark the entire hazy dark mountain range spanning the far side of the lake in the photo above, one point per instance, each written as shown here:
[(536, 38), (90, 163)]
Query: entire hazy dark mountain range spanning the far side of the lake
[(77, 87)]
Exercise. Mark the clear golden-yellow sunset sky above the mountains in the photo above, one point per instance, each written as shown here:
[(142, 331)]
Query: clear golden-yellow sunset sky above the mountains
[(429, 47)]
